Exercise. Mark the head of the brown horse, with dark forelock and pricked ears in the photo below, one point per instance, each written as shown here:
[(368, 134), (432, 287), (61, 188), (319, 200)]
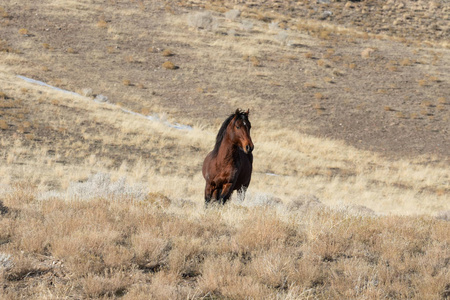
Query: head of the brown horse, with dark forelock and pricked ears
[(239, 129)]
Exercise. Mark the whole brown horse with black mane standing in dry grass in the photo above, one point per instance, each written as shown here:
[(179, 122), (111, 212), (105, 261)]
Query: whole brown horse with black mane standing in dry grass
[(229, 166)]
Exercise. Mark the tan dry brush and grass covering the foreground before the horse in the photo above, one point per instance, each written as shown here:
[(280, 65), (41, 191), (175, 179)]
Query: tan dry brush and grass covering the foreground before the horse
[(134, 248)]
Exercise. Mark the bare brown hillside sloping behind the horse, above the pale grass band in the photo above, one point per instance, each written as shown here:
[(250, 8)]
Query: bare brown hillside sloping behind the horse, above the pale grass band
[(311, 73)]
